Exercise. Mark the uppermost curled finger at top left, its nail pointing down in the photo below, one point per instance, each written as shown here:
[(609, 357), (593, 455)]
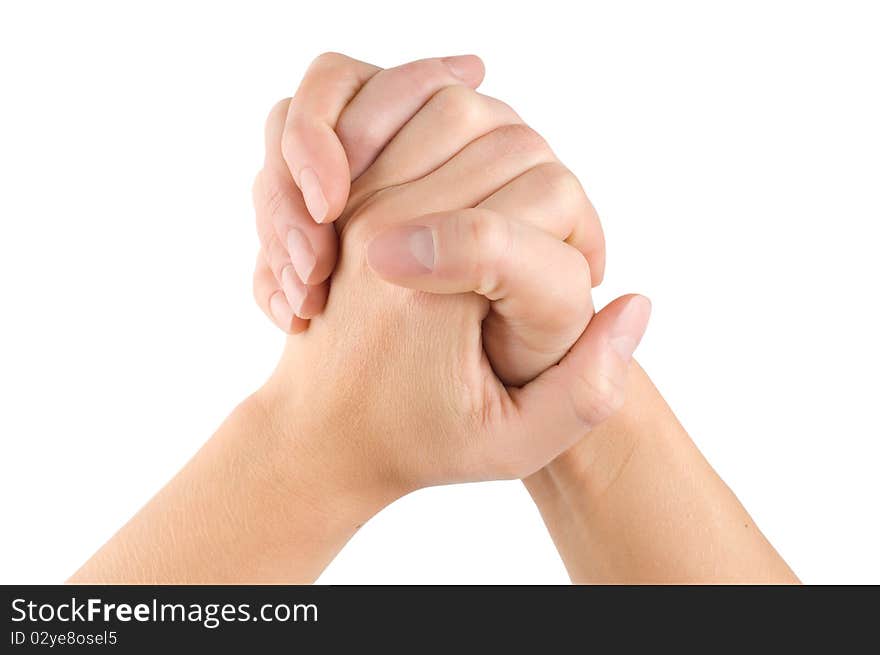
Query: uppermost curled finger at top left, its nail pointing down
[(314, 155)]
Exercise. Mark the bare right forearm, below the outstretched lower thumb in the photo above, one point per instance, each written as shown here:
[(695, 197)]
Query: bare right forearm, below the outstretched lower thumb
[(636, 502)]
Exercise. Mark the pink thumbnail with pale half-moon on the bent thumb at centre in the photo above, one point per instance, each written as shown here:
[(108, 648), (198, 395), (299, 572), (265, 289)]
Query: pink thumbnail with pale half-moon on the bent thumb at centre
[(403, 251)]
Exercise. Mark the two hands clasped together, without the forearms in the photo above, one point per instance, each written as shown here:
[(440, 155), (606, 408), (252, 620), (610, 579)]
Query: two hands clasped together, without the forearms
[(459, 341)]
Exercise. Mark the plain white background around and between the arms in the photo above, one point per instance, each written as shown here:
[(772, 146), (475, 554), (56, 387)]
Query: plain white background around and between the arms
[(731, 149)]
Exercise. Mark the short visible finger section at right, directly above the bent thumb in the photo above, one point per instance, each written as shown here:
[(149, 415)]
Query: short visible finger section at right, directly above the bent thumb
[(550, 196)]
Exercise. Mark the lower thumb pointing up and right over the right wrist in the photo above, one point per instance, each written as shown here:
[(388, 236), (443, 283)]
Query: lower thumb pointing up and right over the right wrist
[(557, 409)]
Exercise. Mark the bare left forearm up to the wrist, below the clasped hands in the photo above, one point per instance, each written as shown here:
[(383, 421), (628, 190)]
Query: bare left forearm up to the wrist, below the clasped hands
[(255, 504)]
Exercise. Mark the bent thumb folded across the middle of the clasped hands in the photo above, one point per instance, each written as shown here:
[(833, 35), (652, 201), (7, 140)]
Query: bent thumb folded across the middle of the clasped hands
[(539, 286)]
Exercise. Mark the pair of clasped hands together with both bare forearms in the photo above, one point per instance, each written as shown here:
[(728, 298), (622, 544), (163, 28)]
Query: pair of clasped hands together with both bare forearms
[(500, 373)]
